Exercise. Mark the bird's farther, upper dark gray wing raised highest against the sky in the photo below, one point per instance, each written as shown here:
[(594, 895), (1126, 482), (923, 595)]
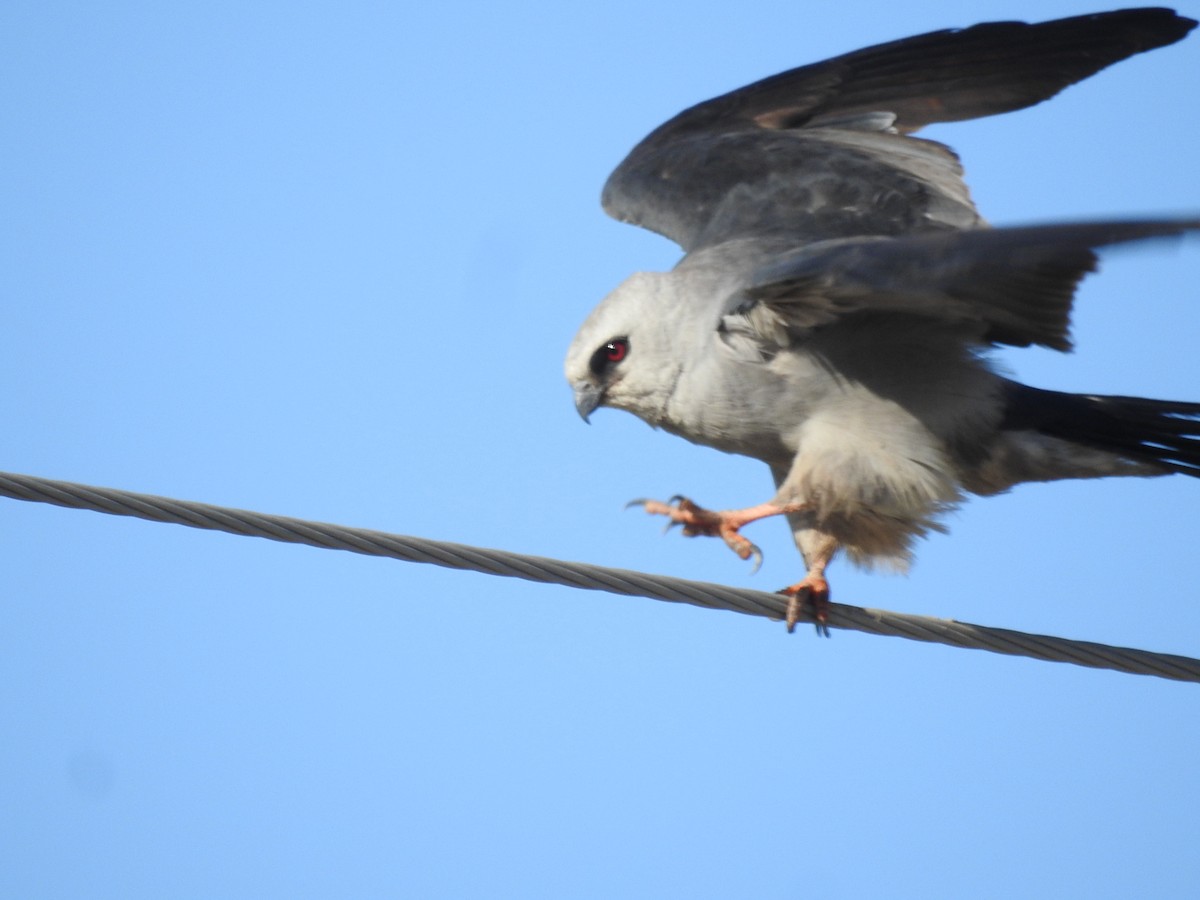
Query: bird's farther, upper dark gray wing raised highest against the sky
[(820, 152)]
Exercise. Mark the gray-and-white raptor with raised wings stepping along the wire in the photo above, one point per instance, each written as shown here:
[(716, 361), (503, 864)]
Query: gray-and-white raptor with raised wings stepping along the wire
[(839, 293)]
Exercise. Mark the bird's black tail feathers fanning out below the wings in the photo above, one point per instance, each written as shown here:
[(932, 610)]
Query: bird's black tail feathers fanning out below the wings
[(1162, 433)]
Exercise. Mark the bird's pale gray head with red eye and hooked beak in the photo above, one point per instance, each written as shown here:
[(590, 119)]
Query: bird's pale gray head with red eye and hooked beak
[(625, 356)]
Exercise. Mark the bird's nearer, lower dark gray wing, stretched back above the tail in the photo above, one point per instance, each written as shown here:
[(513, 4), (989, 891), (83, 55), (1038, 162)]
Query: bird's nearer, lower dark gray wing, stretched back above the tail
[(1016, 285)]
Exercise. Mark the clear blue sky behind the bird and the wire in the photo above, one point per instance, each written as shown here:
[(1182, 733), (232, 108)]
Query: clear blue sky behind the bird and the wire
[(325, 260)]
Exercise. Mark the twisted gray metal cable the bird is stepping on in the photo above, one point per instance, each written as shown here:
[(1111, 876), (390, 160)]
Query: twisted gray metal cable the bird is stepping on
[(592, 578)]
